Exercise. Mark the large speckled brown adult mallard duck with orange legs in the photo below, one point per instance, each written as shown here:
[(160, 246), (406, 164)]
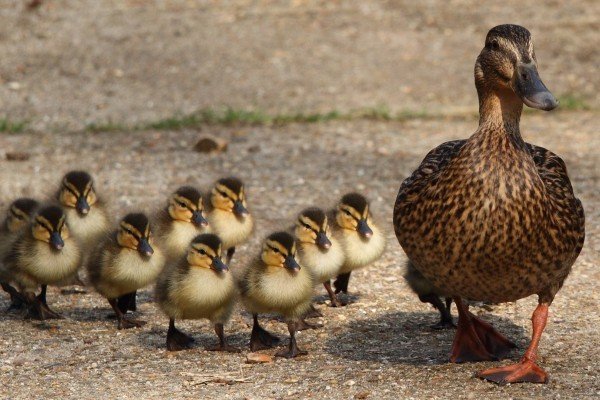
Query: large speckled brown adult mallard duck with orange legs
[(493, 218)]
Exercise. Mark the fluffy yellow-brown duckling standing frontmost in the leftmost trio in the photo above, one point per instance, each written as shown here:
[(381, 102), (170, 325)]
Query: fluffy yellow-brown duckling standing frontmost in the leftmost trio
[(43, 255)]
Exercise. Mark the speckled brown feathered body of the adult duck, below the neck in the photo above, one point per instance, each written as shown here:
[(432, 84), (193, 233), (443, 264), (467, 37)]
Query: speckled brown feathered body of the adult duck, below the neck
[(491, 218)]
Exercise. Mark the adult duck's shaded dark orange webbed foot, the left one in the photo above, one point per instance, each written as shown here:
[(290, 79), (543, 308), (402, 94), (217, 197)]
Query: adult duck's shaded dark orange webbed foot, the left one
[(475, 339)]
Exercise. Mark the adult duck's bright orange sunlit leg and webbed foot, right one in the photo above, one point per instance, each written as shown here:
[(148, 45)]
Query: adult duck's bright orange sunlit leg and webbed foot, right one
[(526, 370)]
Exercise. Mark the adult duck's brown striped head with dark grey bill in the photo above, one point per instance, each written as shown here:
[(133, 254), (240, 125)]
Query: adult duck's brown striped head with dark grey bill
[(507, 64)]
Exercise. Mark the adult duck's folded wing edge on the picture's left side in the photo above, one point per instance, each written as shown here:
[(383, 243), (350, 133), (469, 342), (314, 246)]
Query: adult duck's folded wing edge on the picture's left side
[(435, 160)]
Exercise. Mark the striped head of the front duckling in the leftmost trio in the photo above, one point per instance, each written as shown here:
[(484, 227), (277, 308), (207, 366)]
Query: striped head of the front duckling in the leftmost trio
[(49, 226)]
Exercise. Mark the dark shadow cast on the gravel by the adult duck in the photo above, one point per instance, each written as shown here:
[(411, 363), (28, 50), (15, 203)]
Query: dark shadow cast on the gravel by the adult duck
[(407, 338)]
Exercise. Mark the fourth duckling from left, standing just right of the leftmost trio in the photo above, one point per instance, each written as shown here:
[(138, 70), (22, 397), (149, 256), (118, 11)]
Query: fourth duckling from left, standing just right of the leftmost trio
[(125, 262)]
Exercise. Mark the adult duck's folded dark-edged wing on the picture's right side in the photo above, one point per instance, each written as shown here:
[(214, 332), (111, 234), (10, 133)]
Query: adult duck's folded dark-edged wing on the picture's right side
[(569, 210)]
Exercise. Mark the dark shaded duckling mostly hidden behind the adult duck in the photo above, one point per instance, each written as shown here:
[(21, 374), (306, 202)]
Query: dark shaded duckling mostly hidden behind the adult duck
[(429, 294)]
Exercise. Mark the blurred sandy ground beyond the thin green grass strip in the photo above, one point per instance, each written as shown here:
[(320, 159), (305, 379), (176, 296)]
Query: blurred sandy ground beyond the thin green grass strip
[(72, 64)]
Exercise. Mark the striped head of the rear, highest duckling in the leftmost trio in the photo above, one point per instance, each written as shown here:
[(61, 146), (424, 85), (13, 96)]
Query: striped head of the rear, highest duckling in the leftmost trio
[(77, 191)]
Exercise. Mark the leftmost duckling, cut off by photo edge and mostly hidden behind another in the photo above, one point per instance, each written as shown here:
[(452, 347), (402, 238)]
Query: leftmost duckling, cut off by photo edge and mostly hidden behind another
[(17, 218)]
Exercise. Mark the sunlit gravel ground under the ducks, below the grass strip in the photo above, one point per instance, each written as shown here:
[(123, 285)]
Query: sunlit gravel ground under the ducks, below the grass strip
[(378, 347)]
